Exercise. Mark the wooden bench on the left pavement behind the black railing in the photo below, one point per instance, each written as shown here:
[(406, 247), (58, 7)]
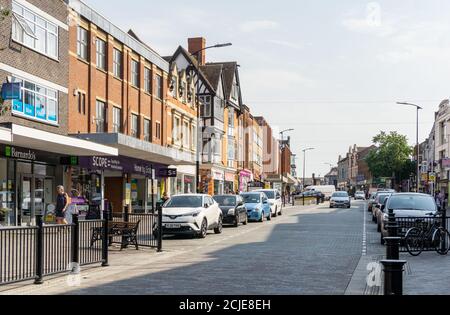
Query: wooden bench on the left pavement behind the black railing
[(127, 231)]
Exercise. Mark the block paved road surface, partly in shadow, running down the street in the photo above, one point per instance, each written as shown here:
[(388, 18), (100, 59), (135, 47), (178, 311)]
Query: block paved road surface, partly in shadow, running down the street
[(308, 250)]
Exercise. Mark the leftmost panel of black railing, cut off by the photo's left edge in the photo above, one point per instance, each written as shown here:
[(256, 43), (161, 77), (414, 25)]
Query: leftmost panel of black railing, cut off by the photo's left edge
[(17, 254)]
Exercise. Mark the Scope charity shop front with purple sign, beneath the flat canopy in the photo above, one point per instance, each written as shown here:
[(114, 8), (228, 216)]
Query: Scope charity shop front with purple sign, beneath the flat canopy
[(121, 181)]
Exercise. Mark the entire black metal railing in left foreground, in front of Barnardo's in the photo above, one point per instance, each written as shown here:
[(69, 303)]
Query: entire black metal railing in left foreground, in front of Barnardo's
[(35, 252)]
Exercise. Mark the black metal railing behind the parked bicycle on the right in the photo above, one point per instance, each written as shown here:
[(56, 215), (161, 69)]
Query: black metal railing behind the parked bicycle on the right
[(404, 224)]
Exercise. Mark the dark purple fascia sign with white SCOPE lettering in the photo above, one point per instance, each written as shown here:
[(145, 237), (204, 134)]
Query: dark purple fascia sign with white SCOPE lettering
[(120, 164)]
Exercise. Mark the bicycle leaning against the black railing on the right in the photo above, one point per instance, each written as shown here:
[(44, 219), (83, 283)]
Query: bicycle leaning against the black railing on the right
[(435, 236)]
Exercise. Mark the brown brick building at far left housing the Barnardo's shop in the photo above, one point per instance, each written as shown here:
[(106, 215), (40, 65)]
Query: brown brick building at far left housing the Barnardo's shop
[(34, 141)]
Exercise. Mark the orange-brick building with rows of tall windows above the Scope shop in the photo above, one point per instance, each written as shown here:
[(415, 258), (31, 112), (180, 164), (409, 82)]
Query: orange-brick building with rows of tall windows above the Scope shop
[(119, 95)]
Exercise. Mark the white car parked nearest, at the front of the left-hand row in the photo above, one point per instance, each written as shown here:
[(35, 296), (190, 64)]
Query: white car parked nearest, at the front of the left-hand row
[(191, 214)]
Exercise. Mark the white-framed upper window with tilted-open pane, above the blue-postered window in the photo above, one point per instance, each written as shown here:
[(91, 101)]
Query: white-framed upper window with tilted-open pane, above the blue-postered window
[(34, 31)]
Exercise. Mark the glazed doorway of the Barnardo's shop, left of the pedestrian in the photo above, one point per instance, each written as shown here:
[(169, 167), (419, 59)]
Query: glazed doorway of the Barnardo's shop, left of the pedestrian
[(36, 194)]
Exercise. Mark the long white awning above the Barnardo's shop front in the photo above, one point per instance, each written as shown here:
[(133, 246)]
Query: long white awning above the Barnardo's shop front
[(46, 141)]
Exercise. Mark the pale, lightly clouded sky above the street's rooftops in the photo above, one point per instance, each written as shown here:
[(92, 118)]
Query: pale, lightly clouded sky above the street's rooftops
[(332, 70)]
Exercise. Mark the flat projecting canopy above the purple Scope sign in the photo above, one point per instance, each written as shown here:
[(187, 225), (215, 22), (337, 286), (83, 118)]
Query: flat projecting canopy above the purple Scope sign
[(143, 150)]
